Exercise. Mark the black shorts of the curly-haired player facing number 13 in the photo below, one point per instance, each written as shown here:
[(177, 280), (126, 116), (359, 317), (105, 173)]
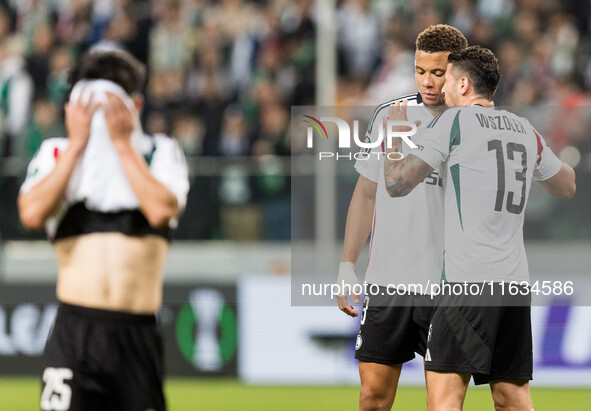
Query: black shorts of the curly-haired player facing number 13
[(393, 328)]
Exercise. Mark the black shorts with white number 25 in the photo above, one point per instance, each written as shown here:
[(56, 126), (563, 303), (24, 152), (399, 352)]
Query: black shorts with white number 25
[(103, 360)]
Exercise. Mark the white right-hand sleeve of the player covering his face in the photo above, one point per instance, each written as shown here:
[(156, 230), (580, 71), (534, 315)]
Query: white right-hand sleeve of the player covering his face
[(169, 166)]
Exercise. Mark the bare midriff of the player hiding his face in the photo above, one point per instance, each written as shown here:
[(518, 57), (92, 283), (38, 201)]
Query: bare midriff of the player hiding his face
[(111, 271)]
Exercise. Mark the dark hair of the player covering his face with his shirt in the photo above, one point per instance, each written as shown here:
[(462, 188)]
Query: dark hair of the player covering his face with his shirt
[(111, 64)]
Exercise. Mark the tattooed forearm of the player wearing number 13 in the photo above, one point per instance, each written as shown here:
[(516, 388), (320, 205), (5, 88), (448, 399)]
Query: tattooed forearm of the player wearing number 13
[(402, 176)]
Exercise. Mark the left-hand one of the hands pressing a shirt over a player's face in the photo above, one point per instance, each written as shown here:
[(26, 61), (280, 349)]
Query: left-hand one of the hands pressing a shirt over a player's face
[(78, 116)]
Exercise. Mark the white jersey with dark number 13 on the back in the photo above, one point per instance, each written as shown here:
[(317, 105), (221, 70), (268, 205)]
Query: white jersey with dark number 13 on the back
[(491, 158)]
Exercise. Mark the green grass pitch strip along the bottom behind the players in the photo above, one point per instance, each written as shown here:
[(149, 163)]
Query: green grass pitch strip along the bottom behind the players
[(22, 394)]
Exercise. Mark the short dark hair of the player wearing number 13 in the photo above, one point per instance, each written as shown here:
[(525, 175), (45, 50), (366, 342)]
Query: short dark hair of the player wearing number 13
[(481, 66)]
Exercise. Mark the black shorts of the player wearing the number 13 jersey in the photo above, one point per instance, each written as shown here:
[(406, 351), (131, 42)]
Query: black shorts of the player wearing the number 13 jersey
[(491, 342)]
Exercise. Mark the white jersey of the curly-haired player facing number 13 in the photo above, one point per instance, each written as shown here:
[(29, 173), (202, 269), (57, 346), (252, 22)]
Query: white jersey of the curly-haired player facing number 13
[(407, 233)]
